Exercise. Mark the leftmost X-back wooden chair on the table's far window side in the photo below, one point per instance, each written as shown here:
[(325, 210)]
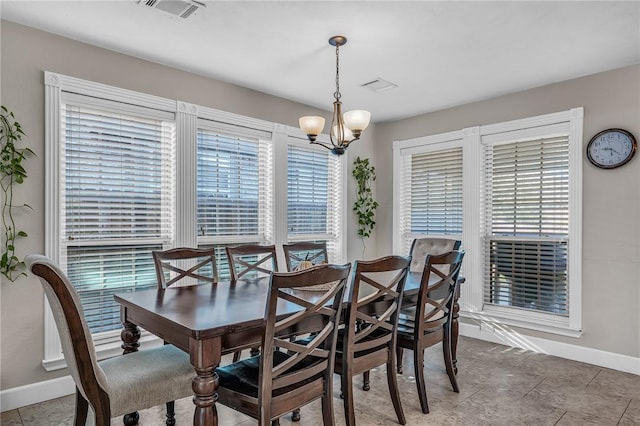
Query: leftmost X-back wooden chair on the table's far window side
[(177, 265)]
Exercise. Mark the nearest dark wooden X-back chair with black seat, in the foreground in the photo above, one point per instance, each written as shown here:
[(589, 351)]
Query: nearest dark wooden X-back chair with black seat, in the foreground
[(289, 374)]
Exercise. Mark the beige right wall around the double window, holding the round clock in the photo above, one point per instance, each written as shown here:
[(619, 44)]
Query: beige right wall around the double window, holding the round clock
[(611, 198)]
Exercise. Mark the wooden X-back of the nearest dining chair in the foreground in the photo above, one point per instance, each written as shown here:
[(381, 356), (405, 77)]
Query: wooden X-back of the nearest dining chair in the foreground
[(307, 359)]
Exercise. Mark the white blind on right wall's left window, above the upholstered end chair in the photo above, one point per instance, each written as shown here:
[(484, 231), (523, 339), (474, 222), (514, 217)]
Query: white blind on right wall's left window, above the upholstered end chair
[(431, 195)]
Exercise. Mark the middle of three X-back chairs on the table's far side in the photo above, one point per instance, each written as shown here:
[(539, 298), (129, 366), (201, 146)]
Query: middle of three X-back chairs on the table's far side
[(251, 259)]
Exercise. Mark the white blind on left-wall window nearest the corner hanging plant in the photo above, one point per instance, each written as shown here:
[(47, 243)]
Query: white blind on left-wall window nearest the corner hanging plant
[(314, 197)]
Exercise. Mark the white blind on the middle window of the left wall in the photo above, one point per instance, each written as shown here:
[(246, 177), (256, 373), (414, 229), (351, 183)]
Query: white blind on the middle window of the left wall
[(234, 188)]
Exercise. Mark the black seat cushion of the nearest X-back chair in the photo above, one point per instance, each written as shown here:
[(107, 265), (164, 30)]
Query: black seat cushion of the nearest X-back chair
[(242, 376)]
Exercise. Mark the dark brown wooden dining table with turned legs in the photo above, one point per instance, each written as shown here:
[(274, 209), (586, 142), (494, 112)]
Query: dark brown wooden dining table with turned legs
[(209, 320)]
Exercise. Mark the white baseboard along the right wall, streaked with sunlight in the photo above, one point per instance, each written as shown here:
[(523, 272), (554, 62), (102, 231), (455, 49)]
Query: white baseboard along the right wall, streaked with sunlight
[(597, 357)]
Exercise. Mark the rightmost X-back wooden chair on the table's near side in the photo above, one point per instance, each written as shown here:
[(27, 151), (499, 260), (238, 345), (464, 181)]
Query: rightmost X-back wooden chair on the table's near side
[(429, 321)]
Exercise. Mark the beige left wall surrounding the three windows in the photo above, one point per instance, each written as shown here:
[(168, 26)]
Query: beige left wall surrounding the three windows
[(26, 53)]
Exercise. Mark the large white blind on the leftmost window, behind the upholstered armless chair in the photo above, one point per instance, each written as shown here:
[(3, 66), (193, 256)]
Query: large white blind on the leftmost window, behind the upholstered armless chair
[(116, 200)]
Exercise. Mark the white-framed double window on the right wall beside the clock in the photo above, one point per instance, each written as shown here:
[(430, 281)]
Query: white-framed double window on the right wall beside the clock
[(513, 196)]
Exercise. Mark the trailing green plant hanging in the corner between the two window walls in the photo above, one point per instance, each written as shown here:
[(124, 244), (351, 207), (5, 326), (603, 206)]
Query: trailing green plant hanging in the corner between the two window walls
[(365, 206)]
